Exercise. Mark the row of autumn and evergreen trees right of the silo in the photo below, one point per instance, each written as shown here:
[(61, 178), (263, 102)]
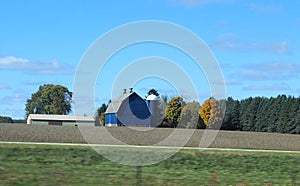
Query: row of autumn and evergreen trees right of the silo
[(279, 114)]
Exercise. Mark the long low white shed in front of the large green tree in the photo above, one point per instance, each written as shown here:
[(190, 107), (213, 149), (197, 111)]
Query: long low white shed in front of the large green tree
[(62, 120)]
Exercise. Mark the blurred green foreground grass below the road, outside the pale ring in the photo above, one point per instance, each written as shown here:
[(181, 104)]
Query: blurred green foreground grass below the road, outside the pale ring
[(73, 165)]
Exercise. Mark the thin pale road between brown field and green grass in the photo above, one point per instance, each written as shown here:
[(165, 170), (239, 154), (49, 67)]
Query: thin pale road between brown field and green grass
[(154, 147)]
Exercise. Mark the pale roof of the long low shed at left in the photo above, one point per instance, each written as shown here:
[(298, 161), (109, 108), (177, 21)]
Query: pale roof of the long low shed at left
[(52, 117)]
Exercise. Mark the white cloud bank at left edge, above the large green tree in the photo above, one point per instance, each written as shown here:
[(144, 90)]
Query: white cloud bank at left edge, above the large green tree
[(34, 67)]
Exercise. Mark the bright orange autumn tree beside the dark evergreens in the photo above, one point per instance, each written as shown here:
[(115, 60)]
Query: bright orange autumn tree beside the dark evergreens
[(211, 113)]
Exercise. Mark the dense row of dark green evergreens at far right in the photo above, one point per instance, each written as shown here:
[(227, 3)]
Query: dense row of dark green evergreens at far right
[(280, 114)]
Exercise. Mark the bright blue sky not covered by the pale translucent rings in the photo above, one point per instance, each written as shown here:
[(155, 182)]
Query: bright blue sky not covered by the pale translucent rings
[(255, 42)]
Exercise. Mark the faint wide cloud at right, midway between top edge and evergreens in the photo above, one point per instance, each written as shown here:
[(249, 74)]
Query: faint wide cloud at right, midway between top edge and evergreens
[(231, 41)]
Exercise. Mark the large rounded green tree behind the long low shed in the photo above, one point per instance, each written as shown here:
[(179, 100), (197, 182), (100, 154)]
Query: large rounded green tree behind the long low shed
[(49, 99)]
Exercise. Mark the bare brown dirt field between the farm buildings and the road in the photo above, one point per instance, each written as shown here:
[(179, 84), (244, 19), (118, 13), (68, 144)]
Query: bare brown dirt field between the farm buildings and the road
[(134, 136)]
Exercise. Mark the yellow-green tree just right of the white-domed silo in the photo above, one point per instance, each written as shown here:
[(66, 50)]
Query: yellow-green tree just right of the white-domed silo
[(173, 110)]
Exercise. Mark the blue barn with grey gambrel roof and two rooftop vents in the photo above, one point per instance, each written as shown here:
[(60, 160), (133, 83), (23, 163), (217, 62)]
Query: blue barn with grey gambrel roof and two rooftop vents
[(129, 109)]
